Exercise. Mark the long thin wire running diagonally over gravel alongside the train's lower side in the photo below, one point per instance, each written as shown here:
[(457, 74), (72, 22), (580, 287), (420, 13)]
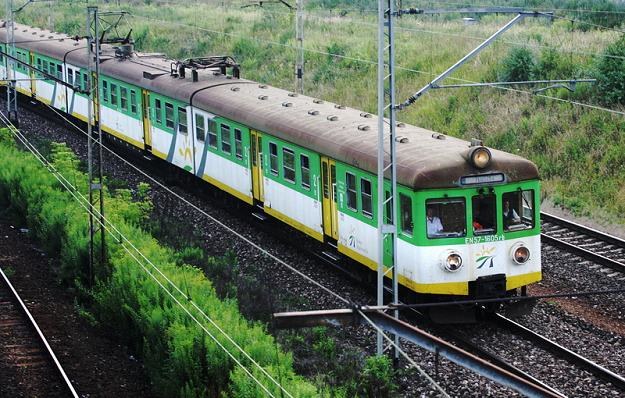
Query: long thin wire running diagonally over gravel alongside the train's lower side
[(240, 236)]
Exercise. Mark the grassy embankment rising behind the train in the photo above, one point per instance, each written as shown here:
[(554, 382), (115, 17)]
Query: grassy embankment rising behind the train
[(580, 151)]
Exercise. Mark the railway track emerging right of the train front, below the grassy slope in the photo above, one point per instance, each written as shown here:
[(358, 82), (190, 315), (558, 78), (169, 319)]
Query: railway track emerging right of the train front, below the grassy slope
[(588, 243)]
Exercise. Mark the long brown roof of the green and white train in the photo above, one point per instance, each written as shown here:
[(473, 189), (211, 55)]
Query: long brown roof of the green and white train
[(425, 159)]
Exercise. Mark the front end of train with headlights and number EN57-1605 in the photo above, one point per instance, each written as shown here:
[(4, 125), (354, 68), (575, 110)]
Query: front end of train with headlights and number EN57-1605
[(479, 236)]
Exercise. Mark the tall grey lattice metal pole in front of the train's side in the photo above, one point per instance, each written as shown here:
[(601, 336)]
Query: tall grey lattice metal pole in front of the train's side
[(386, 109)]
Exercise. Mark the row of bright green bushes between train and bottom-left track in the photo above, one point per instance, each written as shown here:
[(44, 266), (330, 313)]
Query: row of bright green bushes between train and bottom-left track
[(181, 359)]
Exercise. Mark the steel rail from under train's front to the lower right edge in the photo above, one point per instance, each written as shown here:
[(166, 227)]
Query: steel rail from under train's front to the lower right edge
[(562, 352)]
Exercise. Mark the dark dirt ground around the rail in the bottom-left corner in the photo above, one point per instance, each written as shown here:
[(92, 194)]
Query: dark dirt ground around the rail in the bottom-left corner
[(96, 365)]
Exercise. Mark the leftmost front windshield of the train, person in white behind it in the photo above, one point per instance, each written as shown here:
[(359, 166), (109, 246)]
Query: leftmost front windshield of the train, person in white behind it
[(445, 218)]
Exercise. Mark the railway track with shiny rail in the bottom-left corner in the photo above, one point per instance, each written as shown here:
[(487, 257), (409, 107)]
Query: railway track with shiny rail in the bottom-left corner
[(25, 348)]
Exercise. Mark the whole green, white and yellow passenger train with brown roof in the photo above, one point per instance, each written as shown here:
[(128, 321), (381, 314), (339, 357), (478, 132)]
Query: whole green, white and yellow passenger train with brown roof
[(468, 216)]
